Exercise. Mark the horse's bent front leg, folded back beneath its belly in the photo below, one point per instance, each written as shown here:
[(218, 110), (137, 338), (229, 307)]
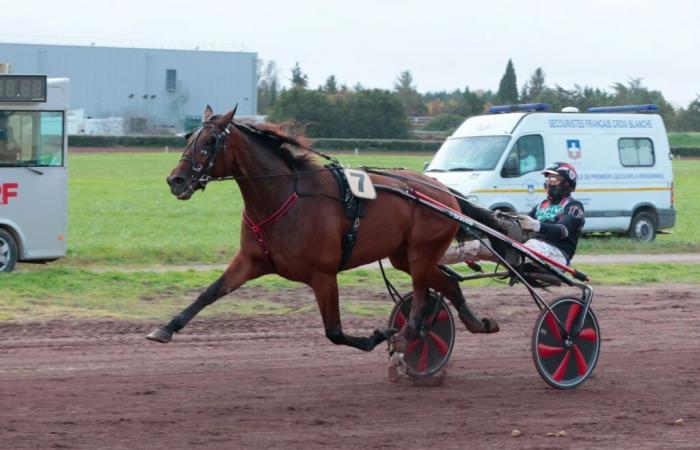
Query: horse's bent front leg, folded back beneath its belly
[(325, 287)]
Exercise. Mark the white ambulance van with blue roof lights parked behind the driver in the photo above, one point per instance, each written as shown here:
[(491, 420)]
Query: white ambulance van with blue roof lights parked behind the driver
[(621, 154)]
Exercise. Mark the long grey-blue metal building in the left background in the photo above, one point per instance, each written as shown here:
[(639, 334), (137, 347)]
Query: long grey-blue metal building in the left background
[(164, 87)]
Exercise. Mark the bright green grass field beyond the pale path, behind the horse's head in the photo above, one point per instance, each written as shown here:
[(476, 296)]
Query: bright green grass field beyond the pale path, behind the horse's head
[(122, 213)]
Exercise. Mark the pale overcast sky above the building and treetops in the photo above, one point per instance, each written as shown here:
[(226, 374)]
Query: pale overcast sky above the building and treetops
[(445, 44)]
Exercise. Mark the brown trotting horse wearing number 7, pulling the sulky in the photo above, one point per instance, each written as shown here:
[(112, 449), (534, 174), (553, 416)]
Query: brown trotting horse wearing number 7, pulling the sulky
[(294, 222)]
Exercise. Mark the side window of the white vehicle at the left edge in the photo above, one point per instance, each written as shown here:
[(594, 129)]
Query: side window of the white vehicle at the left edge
[(32, 138)]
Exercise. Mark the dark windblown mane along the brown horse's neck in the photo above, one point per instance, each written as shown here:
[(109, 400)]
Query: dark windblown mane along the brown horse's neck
[(293, 149)]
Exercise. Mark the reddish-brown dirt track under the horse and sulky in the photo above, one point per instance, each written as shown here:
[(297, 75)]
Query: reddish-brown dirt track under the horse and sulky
[(277, 383)]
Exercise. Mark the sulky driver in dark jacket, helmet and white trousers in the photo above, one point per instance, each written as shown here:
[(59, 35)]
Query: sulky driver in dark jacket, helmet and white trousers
[(556, 222)]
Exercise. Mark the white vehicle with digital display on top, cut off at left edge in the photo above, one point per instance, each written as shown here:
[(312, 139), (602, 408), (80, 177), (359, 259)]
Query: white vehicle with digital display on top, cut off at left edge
[(33, 169)]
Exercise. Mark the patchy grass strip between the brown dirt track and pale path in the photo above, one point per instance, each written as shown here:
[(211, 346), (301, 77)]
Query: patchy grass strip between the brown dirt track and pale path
[(56, 292)]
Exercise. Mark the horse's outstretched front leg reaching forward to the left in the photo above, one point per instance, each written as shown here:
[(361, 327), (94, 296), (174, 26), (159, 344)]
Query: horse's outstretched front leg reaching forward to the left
[(240, 270)]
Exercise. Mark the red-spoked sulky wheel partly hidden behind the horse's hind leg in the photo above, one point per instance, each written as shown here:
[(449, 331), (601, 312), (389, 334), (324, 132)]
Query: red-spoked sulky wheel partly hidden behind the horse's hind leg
[(430, 350)]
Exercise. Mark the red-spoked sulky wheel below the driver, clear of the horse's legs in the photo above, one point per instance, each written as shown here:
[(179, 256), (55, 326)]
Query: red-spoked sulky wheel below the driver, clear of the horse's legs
[(562, 360)]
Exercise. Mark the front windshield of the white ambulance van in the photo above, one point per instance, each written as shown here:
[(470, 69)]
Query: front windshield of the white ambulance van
[(469, 154)]
